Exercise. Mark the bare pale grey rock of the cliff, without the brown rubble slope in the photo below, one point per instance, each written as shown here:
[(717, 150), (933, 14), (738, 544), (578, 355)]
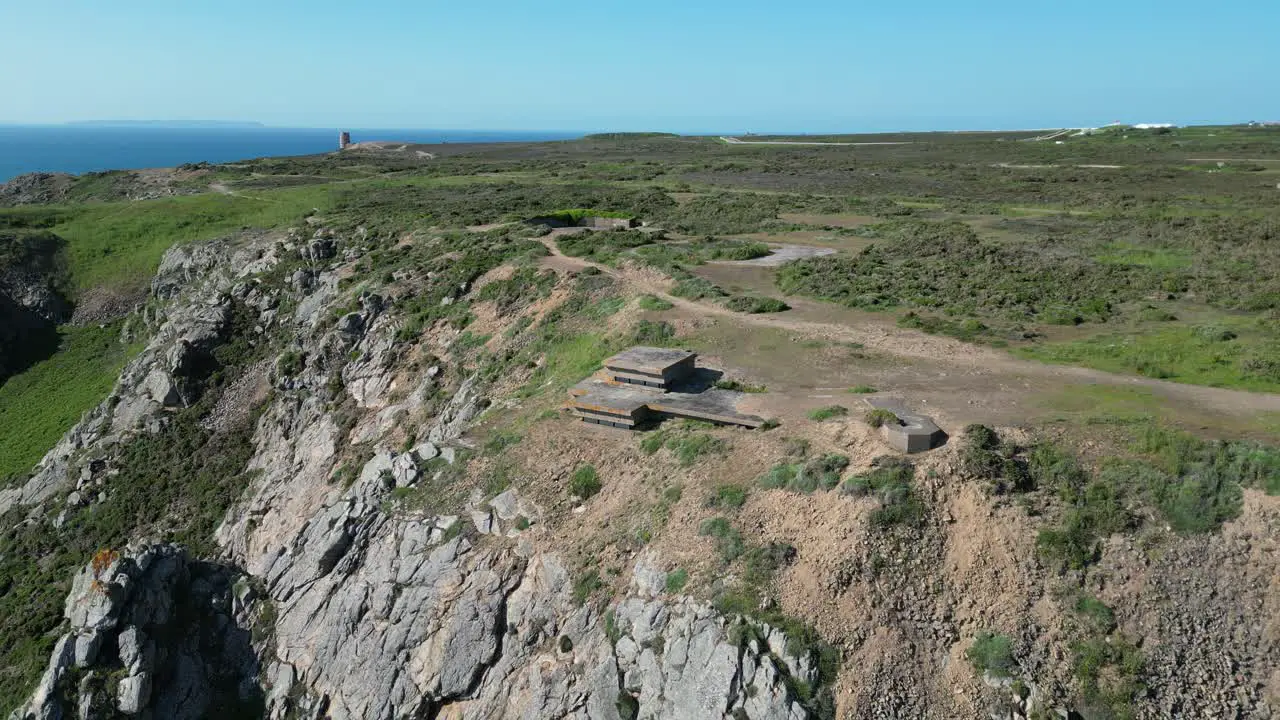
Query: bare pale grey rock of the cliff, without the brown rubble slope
[(330, 603)]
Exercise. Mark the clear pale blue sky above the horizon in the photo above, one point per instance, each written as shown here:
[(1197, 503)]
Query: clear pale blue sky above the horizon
[(684, 66)]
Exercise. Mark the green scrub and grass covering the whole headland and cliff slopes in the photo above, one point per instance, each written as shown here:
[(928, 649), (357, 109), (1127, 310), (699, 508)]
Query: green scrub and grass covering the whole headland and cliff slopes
[(1163, 268)]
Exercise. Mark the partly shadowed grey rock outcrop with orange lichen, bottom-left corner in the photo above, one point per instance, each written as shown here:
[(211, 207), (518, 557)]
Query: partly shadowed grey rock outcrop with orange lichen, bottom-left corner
[(153, 635)]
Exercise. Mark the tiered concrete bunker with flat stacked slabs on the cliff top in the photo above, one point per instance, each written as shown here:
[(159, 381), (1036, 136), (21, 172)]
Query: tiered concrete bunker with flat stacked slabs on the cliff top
[(644, 385)]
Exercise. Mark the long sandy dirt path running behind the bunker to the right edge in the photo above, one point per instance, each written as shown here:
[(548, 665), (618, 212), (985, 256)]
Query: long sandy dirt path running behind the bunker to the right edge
[(966, 359)]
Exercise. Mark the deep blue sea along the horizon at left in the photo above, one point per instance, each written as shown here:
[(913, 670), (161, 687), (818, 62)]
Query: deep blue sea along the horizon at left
[(83, 149)]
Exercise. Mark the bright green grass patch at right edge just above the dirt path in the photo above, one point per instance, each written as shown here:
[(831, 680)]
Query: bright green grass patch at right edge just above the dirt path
[(1181, 354)]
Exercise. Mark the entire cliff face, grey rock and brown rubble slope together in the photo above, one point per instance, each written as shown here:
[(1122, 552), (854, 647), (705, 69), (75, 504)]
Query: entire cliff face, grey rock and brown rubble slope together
[(369, 571)]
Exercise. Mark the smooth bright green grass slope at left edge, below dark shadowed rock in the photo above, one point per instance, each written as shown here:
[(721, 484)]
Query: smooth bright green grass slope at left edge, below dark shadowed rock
[(39, 405)]
